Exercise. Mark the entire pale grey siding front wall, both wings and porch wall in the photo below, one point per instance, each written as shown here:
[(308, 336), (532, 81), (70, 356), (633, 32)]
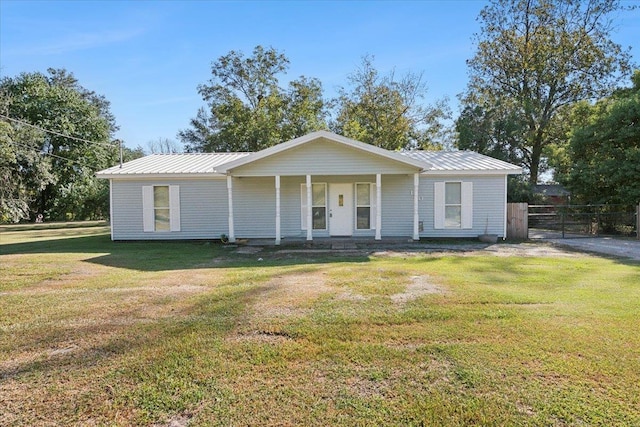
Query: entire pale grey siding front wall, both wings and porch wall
[(204, 207)]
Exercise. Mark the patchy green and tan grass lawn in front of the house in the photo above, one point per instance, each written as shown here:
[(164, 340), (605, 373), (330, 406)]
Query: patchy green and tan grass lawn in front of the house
[(192, 333)]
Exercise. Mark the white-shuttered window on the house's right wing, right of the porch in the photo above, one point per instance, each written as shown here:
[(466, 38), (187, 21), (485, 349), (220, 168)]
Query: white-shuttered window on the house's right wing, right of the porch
[(453, 205)]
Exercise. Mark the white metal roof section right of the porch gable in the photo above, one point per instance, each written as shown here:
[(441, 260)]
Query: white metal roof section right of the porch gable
[(461, 161)]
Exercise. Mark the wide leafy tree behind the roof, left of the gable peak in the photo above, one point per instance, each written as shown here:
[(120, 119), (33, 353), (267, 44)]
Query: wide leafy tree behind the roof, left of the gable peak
[(247, 108)]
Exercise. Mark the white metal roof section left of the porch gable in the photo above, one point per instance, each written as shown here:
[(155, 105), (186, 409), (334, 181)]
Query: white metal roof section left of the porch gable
[(172, 164)]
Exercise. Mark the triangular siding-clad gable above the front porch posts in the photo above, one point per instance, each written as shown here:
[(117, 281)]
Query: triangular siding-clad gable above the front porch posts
[(323, 157)]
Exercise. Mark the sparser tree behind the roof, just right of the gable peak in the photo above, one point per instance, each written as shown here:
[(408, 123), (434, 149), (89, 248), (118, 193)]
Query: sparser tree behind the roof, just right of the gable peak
[(388, 112)]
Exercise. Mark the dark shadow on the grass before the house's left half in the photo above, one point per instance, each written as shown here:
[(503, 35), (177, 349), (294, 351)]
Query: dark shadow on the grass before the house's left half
[(169, 255)]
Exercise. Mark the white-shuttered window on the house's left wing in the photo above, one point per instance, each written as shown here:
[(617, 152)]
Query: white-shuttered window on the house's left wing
[(161, 208)]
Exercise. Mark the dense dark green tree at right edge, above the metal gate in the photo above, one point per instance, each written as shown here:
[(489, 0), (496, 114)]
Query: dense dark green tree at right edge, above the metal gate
[(605, 151)]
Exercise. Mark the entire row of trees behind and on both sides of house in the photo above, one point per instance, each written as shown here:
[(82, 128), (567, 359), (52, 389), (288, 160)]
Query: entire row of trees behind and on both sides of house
[(545, 92)]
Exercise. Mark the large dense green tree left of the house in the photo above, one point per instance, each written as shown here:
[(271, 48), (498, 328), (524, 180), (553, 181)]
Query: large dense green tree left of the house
[(52, 115)]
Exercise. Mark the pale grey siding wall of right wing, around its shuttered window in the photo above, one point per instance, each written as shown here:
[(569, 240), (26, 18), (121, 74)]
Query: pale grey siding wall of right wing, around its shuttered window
[(488, 206)]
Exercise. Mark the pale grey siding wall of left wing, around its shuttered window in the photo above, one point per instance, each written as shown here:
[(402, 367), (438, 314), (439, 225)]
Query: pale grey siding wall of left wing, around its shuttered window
[(203, 210)]
